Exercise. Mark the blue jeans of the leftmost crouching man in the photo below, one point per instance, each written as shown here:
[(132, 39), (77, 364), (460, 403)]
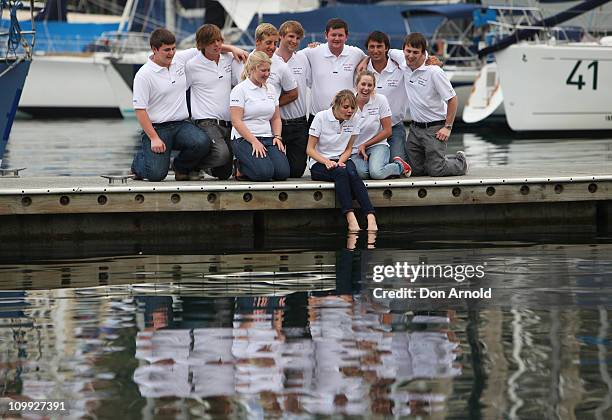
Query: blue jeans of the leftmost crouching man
[(191, 142)]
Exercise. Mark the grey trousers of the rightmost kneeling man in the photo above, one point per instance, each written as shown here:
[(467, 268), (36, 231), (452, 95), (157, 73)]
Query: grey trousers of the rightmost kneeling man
[(427, 154)]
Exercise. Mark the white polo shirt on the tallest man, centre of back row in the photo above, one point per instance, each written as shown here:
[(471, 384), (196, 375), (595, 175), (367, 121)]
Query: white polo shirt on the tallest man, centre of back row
[(331, 74)]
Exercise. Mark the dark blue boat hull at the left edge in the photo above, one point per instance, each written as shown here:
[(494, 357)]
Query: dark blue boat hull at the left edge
[(11, 86)]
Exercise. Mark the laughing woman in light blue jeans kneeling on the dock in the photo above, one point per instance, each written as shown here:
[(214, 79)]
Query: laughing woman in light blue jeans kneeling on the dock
[(371, 153)]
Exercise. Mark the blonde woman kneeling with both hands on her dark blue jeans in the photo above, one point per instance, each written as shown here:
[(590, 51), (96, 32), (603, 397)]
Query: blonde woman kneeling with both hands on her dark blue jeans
[(256, 133)]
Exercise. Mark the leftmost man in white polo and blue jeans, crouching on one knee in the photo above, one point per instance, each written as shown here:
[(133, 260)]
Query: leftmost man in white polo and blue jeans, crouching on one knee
[(161, 109)]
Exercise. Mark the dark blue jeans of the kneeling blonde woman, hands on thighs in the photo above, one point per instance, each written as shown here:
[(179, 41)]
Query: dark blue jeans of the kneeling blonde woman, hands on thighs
[(273, 167)]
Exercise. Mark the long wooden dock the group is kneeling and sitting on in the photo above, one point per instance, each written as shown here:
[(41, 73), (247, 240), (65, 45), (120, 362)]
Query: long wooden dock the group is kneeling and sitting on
[(550, 194)]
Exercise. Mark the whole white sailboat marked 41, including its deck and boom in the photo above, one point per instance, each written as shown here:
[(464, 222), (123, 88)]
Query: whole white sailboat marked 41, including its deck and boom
[(550, 82)]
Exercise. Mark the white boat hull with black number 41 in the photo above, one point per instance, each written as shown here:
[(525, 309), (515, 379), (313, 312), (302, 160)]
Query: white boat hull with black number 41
[(556, 87)]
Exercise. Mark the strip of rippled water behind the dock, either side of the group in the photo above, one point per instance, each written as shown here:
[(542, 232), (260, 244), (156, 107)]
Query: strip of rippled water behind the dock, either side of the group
[(94, 147)]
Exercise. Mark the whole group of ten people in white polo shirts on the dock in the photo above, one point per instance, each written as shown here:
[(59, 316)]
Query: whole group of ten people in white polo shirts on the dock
[(250, 116)]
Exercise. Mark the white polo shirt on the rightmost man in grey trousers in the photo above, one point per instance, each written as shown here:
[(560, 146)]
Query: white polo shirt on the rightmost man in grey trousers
[(428, 91)]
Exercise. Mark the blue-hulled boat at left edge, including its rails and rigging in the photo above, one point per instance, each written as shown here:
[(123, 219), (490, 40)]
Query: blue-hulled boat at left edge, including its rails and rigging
[(14, 66)]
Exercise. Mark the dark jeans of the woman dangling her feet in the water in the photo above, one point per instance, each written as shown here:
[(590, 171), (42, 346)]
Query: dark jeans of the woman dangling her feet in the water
[(347, 183)]
